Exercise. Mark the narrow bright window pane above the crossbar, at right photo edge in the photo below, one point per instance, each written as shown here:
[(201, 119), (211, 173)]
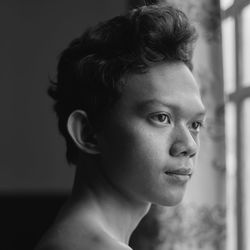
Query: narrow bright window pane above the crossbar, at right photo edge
[(246, 45)]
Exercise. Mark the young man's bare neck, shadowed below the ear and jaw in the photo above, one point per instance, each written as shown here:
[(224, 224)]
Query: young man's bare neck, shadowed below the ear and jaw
[(116, 212)]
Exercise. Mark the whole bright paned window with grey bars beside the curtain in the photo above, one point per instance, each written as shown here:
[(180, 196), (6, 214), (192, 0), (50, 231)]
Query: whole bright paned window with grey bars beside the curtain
[(236, 72)]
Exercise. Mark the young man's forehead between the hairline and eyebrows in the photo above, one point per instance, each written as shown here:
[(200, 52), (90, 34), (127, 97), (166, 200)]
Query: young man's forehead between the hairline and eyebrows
[(171, 84)]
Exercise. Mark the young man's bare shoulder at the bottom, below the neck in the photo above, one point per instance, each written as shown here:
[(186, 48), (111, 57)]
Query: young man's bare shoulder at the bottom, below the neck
[(79, 228)]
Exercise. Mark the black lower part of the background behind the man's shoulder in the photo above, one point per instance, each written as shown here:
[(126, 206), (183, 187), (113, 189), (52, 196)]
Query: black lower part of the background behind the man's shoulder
[(24, 218)]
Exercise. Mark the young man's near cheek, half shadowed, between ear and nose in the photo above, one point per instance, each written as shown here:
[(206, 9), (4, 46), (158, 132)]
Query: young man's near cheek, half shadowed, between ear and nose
[(135, 144)]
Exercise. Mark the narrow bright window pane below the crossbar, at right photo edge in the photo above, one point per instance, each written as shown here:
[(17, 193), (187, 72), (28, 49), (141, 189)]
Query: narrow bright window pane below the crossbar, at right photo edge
[(246, 169)]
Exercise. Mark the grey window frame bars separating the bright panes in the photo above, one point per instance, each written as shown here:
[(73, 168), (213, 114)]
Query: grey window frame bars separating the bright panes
[(237, 97)]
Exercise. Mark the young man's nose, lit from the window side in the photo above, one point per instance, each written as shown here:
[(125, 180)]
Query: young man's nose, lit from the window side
[(184, 144)]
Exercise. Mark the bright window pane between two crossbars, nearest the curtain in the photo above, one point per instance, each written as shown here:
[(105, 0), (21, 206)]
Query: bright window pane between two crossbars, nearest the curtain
[(228, 46)]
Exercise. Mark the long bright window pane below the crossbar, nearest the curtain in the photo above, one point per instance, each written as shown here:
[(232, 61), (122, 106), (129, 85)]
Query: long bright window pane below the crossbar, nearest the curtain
[(230, 112)]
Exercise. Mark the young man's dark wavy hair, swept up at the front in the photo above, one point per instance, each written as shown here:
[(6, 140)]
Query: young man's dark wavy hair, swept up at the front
[(90, 69)]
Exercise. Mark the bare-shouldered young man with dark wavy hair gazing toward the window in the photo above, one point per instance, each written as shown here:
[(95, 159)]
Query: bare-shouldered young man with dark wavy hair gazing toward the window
[(131, 112)]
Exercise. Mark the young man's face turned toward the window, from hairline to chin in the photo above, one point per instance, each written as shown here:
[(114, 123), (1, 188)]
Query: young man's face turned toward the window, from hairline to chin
[(150, 142)]
